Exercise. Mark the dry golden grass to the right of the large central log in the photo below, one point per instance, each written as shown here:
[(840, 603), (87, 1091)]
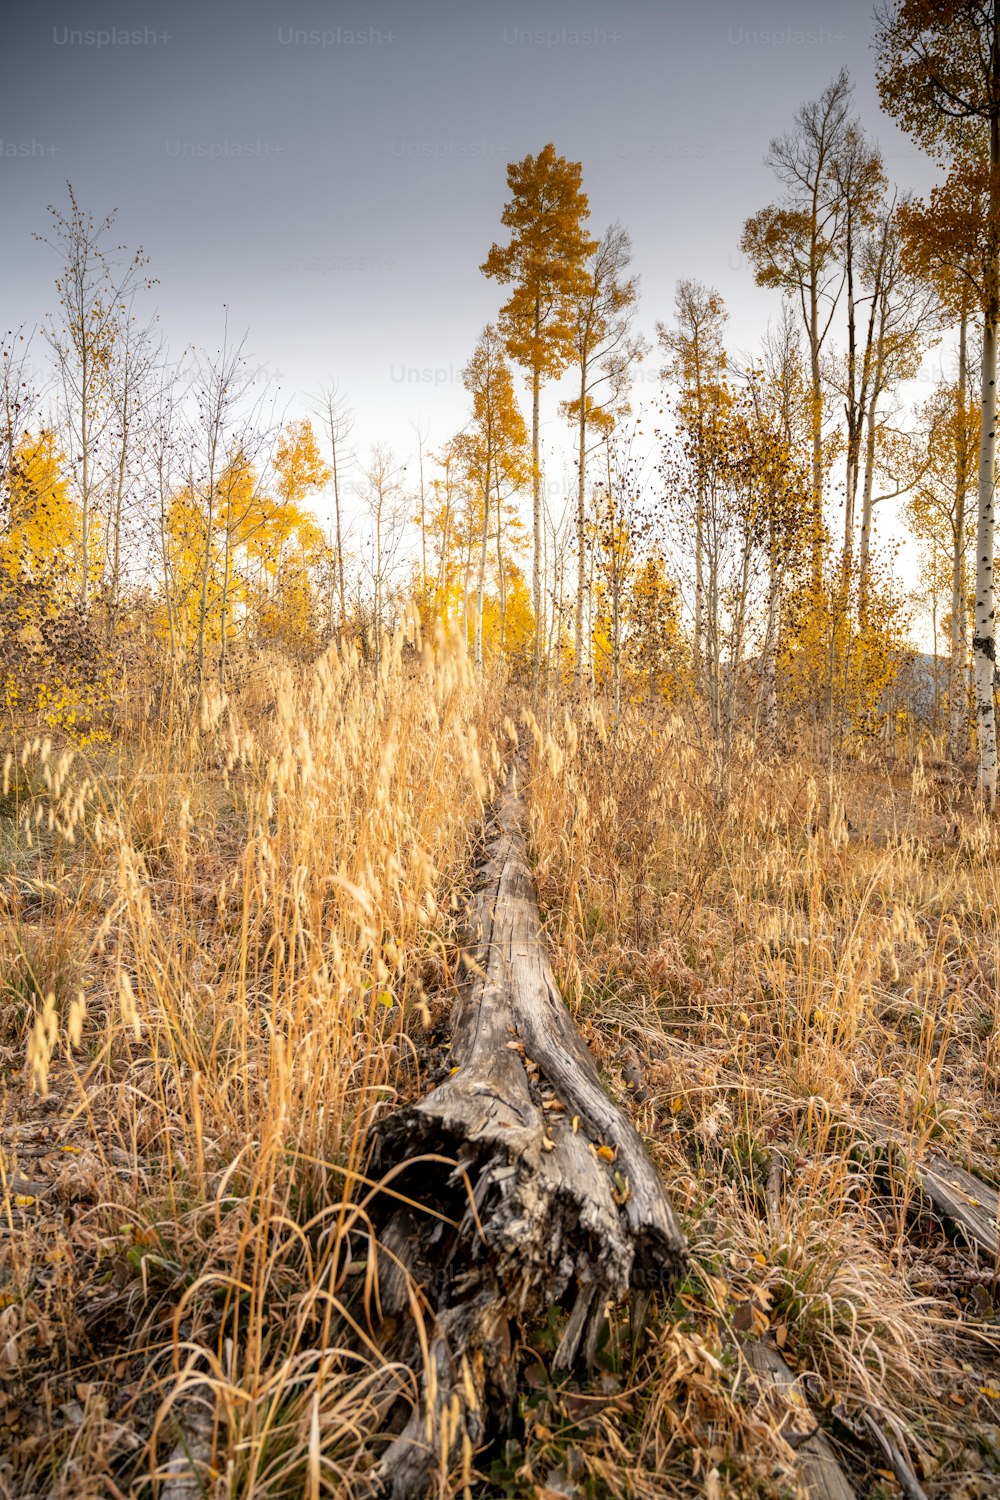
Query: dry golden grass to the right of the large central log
[(779, 977)]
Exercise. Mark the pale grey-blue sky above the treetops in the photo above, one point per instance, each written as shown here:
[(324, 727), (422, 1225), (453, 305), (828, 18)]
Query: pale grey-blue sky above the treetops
[(337, 172)]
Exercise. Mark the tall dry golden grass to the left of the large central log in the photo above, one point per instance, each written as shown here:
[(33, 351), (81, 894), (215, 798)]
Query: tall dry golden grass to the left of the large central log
[(224, 946)]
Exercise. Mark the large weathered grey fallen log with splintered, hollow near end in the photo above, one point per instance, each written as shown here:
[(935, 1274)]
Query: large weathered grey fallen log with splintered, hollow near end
[(552, 1196)]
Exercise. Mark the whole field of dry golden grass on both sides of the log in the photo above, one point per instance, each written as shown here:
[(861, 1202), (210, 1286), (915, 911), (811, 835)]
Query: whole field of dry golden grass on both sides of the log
[(224, 953)]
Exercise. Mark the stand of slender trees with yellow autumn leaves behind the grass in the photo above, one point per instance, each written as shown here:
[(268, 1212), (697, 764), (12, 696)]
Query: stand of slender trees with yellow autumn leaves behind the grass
[(714, 545)]
